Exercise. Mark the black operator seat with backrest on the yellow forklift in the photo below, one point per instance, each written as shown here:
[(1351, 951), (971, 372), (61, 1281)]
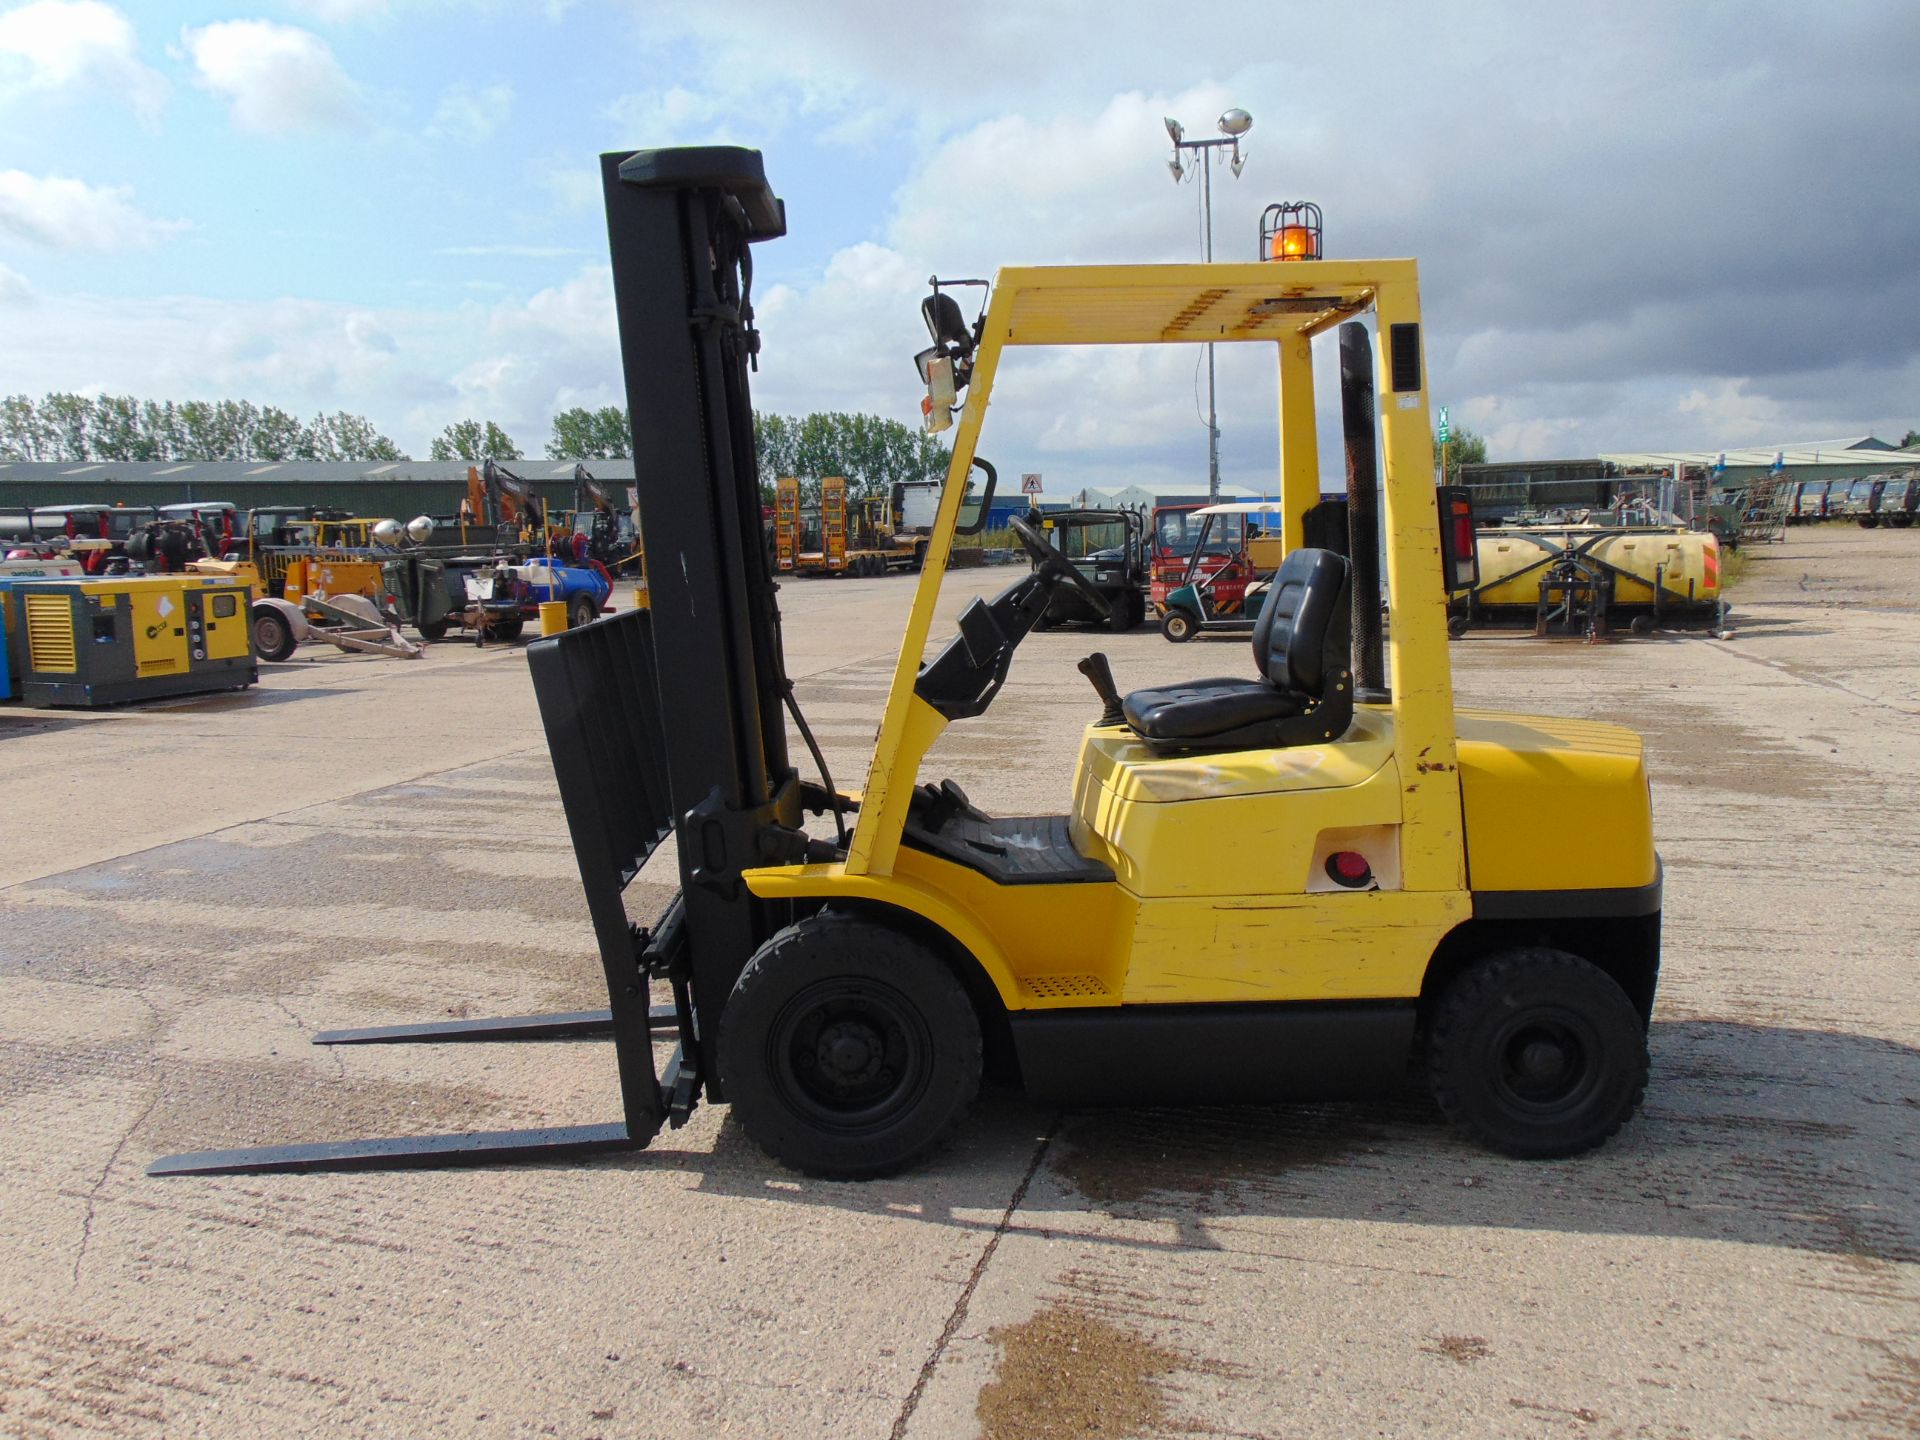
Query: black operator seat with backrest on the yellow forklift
[(1303, 646)]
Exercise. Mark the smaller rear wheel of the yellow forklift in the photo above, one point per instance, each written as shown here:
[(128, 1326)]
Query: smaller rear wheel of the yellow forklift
[(1537, 1053)]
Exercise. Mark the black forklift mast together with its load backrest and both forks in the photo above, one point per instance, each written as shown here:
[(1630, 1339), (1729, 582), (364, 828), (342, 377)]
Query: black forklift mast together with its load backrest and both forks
[(661, 721)]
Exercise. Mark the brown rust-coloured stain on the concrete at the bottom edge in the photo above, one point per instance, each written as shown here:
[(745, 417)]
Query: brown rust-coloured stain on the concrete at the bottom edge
[(1072, 1374)]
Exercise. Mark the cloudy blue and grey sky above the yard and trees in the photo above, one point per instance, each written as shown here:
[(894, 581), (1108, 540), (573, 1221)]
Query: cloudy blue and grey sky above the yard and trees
[(1639, 226)]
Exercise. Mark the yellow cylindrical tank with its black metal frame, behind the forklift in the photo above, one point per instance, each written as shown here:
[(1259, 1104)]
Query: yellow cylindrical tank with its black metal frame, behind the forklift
[(1591, 577)]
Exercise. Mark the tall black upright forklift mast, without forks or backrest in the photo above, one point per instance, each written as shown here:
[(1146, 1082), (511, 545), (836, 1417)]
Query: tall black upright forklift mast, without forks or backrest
[(681, 226)]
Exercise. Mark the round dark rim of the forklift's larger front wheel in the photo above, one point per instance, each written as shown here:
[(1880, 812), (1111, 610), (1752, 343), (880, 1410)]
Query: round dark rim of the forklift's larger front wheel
[(850, 1055)]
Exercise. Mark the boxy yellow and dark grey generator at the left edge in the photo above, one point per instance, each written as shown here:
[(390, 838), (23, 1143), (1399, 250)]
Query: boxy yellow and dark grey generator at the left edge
[(130, 638)]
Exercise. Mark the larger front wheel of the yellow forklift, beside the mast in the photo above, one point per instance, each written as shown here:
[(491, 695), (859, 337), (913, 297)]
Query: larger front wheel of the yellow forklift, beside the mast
[(850, 1049)]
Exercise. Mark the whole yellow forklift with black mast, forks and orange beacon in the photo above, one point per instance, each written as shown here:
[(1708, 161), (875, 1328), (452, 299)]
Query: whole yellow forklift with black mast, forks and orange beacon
[(1301, 880)]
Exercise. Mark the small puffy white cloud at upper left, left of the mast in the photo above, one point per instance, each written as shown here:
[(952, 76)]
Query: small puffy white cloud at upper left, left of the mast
[(277, 78)]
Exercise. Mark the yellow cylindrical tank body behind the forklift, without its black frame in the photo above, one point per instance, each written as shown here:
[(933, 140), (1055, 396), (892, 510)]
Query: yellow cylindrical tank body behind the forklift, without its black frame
[(1683, 565)]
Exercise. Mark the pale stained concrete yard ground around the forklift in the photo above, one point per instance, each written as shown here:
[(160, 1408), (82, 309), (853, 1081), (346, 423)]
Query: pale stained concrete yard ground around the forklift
[(195, 888)]
